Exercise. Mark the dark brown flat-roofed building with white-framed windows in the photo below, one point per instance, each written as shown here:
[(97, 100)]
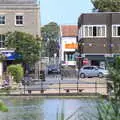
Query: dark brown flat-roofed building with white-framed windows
[(99, 37)]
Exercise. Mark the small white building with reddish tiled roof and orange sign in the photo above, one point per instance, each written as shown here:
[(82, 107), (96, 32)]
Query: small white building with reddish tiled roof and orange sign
[(68, 44)]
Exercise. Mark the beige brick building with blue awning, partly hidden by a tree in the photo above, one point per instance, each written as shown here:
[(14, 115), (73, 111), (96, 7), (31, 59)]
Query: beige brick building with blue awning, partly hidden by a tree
[(17, 15)]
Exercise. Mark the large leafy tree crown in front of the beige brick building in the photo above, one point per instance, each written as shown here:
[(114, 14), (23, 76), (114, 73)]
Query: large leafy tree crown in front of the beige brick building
[(25, 45)]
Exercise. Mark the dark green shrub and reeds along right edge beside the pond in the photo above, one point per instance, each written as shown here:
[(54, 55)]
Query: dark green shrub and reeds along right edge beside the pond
[(110, 110)]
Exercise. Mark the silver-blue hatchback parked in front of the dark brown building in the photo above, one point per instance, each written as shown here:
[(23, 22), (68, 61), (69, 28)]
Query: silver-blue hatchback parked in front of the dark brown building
[(93, 71)]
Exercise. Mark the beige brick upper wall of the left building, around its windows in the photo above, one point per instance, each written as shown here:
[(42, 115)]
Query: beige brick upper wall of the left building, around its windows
[(31, 19)]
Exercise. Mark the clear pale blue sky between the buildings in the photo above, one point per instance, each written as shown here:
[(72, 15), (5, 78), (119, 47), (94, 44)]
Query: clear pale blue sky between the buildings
[(63, 12)]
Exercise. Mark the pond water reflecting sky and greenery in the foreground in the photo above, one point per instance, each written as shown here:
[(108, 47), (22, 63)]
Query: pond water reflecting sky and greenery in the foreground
[(36, 108)]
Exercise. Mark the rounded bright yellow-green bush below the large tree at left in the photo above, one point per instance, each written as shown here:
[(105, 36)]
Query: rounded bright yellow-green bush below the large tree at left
[(16, 71)]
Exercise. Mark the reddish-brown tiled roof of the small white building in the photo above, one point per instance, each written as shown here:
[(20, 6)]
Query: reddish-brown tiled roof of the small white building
[(69, 30)]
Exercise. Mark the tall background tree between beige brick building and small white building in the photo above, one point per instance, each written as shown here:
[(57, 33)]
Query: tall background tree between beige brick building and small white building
[(50, 35)]
